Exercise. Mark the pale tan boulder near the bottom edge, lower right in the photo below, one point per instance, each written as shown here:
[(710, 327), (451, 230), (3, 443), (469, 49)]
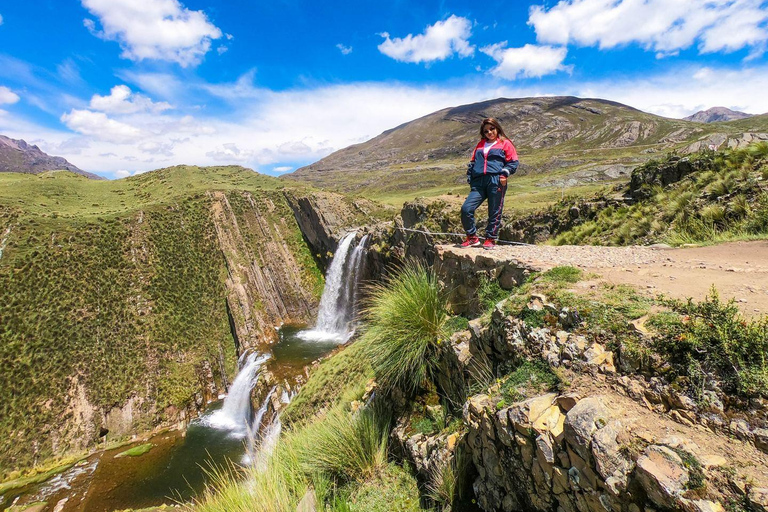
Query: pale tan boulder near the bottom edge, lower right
[(662, 475)]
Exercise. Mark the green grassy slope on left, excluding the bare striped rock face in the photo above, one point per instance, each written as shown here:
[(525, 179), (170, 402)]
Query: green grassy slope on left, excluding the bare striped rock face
[(115, 286)]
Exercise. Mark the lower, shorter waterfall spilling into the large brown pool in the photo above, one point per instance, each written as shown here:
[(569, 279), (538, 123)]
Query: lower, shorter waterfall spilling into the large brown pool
[(235, 413)]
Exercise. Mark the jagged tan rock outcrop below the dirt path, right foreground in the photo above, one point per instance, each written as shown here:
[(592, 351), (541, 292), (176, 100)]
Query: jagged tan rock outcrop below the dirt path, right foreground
[(616, 438)]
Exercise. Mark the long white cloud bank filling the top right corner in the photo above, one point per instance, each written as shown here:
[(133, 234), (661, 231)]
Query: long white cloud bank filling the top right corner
[(660, 25)]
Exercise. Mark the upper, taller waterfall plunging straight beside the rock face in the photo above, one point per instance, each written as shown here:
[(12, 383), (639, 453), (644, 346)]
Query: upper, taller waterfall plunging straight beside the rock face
[(337, 302)]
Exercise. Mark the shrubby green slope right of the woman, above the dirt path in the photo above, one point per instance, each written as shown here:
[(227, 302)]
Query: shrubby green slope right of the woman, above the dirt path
[(721, 198)]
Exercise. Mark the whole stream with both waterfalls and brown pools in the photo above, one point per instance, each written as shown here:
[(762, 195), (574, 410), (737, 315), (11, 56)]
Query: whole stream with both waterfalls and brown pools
[(179, 464)]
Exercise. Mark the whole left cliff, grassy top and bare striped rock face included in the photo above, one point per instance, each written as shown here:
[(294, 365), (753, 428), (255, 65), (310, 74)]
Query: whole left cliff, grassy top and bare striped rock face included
[(132, 317)]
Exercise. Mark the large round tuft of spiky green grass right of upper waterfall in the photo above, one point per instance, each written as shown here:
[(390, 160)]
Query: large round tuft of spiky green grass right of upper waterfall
[(406, 327)]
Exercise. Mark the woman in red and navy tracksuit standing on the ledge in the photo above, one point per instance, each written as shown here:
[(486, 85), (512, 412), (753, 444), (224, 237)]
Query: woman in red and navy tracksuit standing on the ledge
[(494, 159)]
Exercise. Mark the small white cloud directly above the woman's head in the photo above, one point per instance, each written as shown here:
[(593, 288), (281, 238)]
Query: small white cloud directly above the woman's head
[(528, 61)]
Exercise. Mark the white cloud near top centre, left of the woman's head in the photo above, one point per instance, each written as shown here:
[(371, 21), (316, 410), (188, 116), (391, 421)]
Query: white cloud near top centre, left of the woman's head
[(438, 42)]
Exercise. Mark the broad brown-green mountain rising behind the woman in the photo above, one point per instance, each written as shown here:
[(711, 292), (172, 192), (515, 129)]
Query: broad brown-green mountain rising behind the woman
[(562, 141)]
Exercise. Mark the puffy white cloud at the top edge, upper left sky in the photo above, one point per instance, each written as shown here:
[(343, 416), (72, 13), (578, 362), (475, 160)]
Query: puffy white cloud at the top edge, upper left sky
[(153, 29)]
